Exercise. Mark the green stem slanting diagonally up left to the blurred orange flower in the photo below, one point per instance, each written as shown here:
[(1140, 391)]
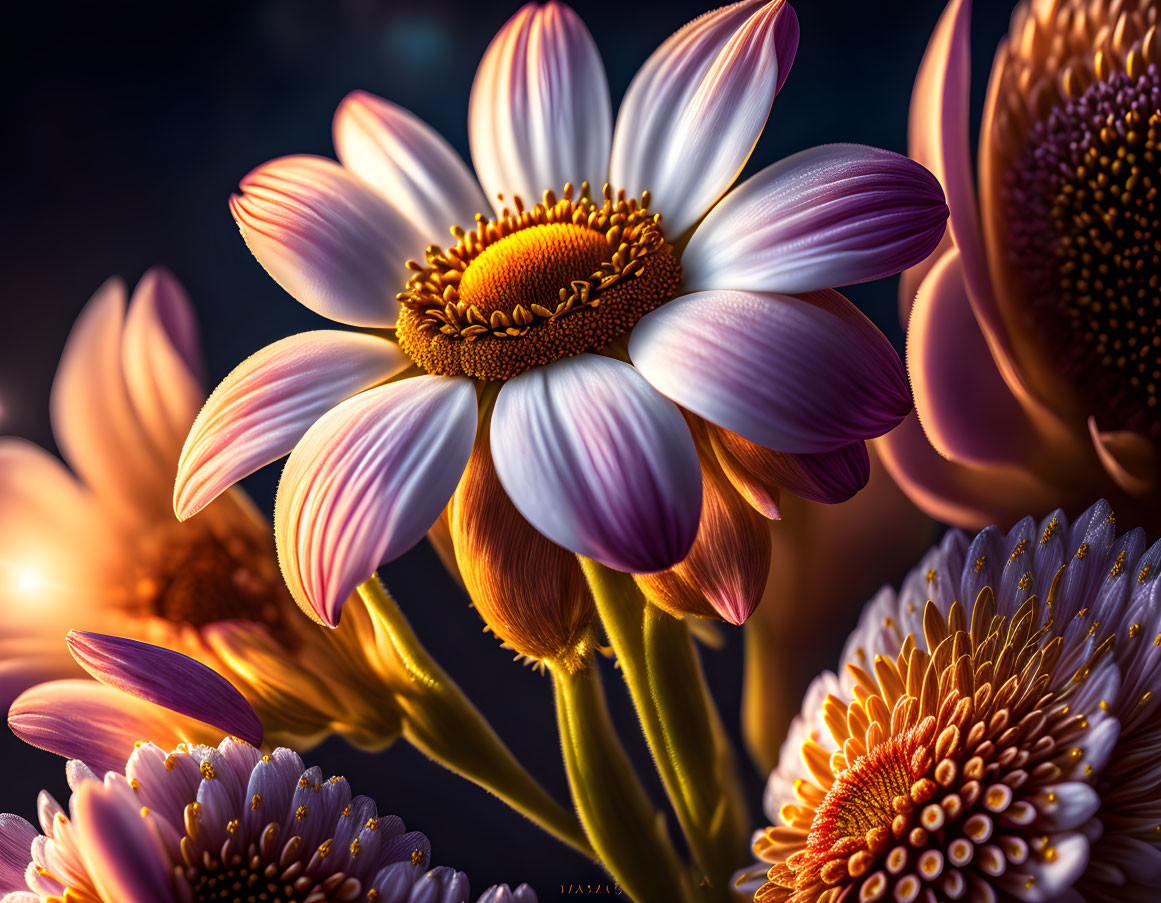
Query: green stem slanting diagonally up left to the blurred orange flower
[(441, 721)]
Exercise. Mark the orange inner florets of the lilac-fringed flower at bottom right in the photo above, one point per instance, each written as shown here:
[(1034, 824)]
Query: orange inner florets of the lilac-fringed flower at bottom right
[(946, 761)]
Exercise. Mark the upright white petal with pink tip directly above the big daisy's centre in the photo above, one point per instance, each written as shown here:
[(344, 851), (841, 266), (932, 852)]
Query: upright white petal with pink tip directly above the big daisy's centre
[(540, 114)]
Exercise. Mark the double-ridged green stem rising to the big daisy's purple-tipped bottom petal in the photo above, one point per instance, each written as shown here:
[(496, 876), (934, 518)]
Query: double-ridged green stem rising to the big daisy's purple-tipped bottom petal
[(681, 725)]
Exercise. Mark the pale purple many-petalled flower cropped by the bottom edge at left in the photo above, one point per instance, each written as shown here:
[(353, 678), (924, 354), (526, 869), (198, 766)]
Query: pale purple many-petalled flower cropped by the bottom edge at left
[(203, 825)]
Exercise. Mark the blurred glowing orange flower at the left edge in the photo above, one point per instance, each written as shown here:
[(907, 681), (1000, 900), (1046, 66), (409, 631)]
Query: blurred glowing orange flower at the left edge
[(97, 547)]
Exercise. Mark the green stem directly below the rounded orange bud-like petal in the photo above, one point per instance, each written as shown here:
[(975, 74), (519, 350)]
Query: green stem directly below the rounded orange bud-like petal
[(625, 829)]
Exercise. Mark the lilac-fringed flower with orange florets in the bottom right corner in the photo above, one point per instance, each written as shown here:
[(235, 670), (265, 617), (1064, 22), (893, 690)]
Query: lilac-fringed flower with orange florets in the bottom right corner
[(993, 734)]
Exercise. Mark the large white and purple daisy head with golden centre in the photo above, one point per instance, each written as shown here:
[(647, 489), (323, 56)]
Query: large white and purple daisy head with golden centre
[(567, 326)]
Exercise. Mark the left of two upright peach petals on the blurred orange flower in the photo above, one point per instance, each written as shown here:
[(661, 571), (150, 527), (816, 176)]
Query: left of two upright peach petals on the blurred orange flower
[(95, 422)]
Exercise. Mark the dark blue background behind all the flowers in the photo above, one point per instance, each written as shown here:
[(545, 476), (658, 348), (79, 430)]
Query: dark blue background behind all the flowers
[(128, 125)]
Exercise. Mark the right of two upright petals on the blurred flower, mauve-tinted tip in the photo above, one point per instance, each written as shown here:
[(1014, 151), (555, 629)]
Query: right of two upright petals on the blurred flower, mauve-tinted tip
[(162, 356)]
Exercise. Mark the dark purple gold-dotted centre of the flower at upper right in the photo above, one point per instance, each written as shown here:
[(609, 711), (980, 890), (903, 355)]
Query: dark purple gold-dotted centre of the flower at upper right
[(1086, 239)]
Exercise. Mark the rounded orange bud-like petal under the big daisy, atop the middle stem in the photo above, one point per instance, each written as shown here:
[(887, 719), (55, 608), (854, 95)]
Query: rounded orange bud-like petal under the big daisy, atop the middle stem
[(530, 591)]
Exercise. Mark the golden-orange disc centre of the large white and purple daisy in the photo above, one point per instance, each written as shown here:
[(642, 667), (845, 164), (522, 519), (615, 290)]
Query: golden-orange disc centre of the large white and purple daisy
[(540, 284)]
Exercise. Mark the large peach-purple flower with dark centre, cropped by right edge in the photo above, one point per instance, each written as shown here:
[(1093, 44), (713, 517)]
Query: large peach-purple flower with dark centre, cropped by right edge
[(1033, 337)]
